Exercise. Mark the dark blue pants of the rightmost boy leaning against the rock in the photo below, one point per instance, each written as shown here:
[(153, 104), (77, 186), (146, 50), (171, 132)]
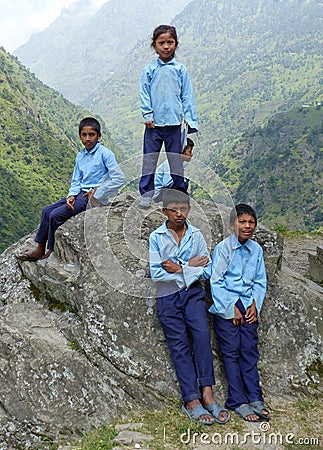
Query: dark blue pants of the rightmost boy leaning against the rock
[(239, 348)]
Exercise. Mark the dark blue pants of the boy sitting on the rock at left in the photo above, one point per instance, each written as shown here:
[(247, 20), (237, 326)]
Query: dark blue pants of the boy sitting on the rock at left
[(55, 215)]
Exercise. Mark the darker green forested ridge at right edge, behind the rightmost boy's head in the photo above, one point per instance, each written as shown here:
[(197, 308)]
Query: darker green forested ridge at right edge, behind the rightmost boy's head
[(280, 166)]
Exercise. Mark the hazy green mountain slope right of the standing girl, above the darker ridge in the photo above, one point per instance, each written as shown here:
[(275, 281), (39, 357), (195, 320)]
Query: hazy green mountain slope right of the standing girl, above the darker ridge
[(252, 58)]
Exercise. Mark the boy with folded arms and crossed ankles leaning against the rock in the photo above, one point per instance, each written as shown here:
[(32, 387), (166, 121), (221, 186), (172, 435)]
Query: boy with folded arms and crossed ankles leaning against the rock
[(178, 259)]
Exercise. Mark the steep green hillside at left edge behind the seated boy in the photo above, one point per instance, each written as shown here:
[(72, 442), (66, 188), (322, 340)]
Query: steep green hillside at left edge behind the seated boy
[(38, 144)]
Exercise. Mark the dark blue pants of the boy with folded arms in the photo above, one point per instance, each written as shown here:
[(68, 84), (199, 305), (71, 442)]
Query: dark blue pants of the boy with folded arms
[(184, 321)]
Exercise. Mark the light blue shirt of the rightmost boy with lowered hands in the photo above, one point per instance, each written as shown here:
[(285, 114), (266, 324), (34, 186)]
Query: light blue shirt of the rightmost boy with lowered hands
[(238, 271)]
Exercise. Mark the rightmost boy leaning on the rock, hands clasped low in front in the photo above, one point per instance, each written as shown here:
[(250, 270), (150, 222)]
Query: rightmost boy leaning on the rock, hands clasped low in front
[(238, 287)]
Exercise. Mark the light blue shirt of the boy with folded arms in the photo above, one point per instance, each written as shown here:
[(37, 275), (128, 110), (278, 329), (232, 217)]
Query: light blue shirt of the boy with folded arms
[(163, 246)]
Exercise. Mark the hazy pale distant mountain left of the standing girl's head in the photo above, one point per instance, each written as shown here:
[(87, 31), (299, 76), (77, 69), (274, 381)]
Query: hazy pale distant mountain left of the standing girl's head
[(83, 46)]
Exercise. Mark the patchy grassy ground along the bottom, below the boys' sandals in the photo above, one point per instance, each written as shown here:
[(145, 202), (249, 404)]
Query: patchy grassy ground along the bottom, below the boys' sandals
[(299, 422)]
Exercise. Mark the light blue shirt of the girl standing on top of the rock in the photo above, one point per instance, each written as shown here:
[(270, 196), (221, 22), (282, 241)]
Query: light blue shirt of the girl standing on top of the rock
[(166, 94)]
